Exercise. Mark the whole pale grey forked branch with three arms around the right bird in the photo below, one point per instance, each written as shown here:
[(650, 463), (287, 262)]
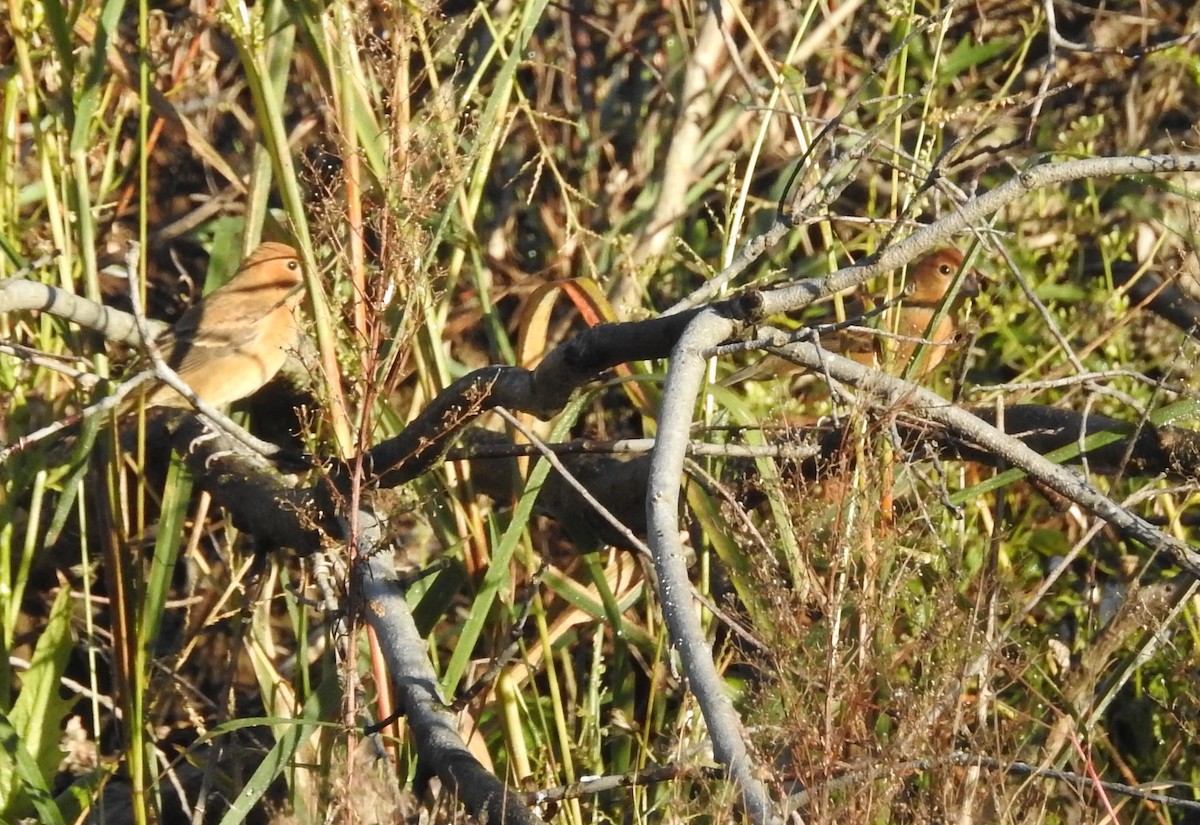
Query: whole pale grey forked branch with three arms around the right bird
[(685, 380)]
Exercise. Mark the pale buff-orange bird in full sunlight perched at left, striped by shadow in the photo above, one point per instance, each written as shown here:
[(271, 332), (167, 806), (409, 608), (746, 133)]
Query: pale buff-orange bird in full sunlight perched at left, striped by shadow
[(235, 340)]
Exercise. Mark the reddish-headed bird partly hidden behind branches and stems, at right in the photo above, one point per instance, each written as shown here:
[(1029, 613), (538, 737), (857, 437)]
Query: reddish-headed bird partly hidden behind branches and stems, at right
[(904, 327)]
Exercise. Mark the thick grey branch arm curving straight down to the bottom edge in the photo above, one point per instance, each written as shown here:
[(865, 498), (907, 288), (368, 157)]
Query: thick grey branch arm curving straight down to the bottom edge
[(683, 384)]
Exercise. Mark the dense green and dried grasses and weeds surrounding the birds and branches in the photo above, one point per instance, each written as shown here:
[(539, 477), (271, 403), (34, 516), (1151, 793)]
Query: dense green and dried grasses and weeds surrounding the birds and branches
[(478, 184)]
